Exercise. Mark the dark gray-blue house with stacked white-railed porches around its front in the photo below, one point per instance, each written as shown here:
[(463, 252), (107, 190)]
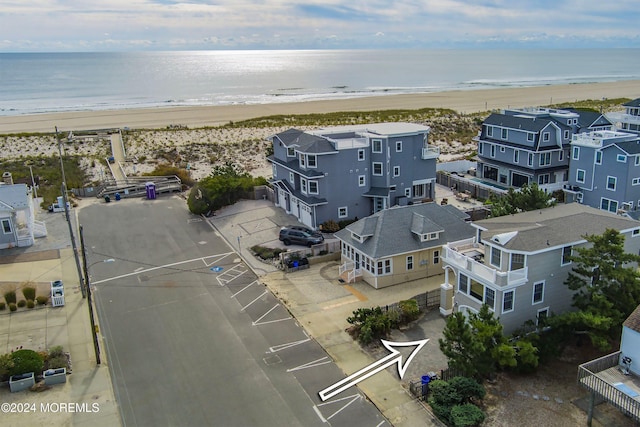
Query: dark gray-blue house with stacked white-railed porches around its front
[(526, 146)]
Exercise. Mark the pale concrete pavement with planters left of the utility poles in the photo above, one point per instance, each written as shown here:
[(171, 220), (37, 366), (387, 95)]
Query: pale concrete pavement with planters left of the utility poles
[(87, 398)]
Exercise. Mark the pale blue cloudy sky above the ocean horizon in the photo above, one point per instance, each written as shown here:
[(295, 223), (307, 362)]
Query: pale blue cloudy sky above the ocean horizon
[(122, 25)]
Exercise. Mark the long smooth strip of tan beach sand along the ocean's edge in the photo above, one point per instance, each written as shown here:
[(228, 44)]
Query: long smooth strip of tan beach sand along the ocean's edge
[(468, 101)]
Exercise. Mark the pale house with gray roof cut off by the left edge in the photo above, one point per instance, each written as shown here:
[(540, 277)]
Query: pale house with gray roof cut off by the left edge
[(18, 226)]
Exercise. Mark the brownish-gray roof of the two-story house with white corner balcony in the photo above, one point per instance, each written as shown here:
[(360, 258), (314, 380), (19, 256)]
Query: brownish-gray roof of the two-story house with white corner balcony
[(559, 225)]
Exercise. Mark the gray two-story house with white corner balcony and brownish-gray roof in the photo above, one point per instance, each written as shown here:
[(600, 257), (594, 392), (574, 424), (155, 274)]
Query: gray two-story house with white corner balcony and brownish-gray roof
[(517, 264)]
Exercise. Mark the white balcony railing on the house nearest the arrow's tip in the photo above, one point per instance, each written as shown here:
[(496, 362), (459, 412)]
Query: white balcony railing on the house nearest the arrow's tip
[(484, 272)]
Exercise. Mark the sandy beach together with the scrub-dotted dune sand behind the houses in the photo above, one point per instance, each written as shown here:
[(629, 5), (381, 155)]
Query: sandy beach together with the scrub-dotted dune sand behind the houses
[(196, 141)]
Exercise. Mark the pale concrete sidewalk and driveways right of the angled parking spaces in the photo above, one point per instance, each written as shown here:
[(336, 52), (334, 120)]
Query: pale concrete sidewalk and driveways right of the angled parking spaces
[(322, 304)]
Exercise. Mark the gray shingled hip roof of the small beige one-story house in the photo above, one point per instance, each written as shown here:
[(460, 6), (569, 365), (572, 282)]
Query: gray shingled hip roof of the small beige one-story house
[(393, 231)]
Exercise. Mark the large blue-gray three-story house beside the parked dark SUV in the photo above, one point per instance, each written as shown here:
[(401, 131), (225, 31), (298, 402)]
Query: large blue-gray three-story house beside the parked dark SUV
[(350, 172)]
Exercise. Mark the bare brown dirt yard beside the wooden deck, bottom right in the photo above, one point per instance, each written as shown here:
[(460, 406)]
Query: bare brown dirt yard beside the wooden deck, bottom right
[(550, 397)]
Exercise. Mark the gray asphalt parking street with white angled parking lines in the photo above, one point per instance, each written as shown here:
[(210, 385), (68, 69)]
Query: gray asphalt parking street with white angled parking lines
[(192, 337)]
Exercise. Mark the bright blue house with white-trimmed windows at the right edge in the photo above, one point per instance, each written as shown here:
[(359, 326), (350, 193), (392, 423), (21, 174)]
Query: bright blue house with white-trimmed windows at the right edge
[(604, 170)]
